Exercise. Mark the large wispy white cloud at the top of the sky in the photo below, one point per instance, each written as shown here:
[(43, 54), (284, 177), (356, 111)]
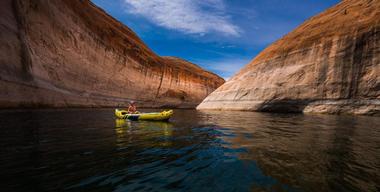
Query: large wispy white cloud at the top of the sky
[(188, 16)]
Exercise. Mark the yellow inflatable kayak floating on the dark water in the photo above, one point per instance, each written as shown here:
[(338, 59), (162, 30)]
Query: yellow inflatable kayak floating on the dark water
[(156, 116)]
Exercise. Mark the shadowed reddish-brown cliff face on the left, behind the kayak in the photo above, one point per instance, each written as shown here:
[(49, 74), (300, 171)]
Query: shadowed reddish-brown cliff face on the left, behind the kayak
[(71, 53)]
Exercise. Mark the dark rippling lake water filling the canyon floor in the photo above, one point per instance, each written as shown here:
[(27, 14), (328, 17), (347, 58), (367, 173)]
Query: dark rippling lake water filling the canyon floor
[(88, 150)]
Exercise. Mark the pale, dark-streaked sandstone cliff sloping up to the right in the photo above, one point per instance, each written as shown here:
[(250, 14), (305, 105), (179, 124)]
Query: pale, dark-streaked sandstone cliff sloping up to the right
[(329, 64)]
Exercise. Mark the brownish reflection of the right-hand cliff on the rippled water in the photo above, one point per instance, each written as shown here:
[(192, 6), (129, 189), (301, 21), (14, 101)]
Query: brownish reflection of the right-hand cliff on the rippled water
[(310, 152)]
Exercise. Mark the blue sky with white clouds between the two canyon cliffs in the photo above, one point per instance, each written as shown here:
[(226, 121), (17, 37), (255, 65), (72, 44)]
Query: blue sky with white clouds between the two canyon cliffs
[(219, 35)]
